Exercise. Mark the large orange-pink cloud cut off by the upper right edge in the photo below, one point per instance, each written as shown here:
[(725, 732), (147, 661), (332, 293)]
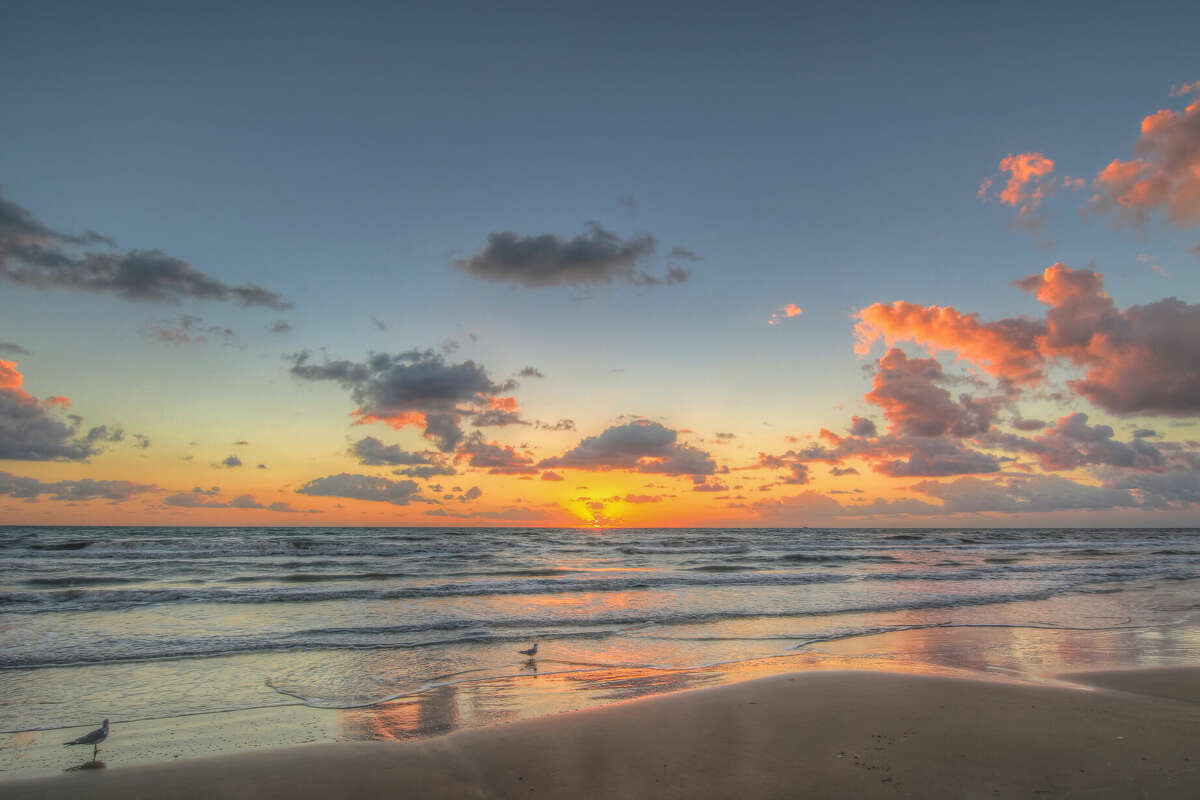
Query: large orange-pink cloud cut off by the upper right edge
[(1165, 175)]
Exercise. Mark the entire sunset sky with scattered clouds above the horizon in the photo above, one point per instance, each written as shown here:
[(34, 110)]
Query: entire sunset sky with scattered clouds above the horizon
[(601, 264)]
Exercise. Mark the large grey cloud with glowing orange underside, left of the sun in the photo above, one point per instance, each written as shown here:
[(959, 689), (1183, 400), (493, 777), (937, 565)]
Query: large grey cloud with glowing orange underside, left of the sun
[(417, 388)]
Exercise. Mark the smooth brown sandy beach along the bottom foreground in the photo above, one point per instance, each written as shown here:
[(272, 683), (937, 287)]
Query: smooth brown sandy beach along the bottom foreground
[(824, 735)]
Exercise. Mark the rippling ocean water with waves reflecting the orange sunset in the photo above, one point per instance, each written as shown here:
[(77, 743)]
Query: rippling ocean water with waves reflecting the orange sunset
[(164, 623)]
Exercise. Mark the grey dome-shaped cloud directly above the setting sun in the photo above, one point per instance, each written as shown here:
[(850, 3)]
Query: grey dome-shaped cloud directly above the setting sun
[(639, 447)]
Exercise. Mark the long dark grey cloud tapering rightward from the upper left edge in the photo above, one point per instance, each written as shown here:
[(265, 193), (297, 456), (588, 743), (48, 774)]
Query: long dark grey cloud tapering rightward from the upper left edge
[(35, 256)]
